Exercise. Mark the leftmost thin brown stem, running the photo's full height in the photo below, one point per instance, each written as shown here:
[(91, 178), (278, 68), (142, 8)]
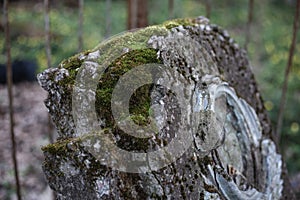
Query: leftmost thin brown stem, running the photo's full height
[(10, 96)]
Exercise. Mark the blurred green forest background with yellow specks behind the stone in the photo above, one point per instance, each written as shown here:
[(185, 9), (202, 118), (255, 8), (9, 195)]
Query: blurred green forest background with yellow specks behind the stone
[(268, 47)]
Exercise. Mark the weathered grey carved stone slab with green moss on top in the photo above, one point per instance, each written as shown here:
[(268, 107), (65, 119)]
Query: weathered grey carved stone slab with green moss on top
[(166, 112)]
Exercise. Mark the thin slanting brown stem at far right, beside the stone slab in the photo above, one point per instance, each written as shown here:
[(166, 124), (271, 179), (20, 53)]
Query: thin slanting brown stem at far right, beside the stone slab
[(287, 71)]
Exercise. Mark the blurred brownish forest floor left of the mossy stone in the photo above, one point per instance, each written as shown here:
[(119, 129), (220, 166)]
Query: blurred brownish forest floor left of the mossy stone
[(31, 122)]
